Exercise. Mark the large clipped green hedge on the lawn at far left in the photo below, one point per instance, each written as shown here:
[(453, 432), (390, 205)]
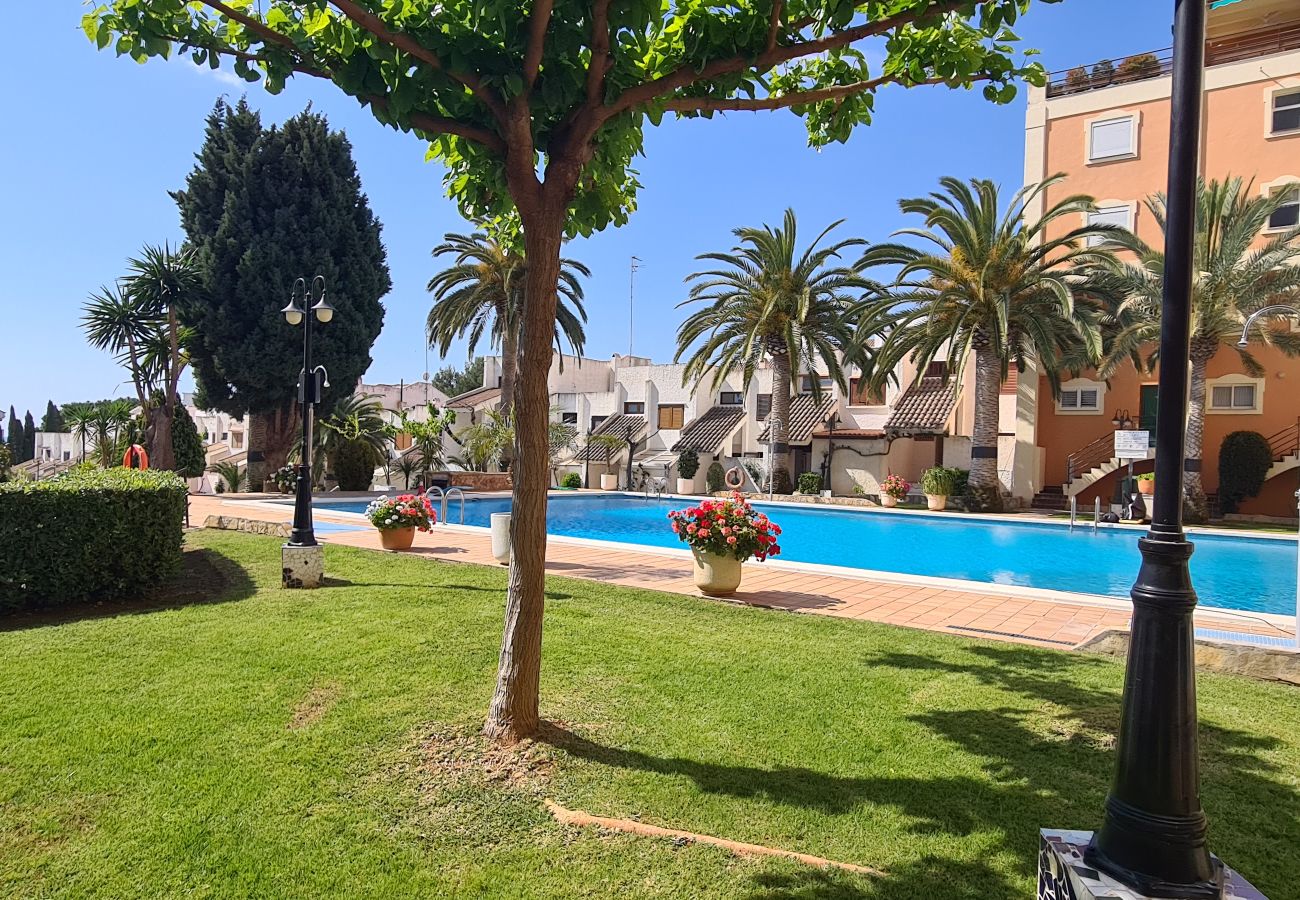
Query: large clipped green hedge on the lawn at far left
[(103, 534)]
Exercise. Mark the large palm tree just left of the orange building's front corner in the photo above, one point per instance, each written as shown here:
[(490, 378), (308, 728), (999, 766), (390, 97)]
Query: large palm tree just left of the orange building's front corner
[(995, 287)]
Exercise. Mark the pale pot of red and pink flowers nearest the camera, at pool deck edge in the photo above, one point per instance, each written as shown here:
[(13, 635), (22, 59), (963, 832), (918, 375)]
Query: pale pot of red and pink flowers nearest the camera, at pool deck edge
[(722, 535)]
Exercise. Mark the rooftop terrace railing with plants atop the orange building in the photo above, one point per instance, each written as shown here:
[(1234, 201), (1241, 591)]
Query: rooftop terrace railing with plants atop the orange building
[(1145, 67)]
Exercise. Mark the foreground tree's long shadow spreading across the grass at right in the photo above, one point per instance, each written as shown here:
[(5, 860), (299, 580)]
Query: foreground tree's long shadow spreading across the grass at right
[(1046, 756)]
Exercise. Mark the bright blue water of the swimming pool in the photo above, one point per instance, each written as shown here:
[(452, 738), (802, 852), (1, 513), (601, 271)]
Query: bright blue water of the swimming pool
[(1230, 573)]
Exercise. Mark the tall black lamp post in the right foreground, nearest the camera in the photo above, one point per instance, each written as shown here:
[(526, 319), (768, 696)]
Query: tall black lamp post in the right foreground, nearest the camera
[(1154, 837)]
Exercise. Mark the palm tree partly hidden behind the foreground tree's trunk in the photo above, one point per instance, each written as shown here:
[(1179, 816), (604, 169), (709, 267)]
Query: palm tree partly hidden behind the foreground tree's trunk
[(483, 293)]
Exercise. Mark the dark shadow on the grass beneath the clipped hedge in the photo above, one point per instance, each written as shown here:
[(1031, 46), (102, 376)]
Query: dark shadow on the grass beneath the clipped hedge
[(206, 577)]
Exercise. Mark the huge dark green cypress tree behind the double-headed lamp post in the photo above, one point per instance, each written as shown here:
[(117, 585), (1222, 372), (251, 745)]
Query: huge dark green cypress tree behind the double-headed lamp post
[(263, 207)]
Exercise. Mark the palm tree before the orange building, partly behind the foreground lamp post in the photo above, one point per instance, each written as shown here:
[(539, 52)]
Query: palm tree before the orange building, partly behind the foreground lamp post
[(1234, 278)]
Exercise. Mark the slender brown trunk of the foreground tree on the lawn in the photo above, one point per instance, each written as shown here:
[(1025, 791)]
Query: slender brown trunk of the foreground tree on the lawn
[(514, 713)]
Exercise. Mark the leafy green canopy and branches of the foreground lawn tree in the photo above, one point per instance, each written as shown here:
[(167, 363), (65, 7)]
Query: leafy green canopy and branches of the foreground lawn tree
[(491, 86)]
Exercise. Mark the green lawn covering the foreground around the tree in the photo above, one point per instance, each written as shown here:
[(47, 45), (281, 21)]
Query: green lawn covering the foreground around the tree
[(307, 743)]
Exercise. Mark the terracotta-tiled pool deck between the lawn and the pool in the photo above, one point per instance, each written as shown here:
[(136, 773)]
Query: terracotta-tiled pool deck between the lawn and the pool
[(1020, 617)]
